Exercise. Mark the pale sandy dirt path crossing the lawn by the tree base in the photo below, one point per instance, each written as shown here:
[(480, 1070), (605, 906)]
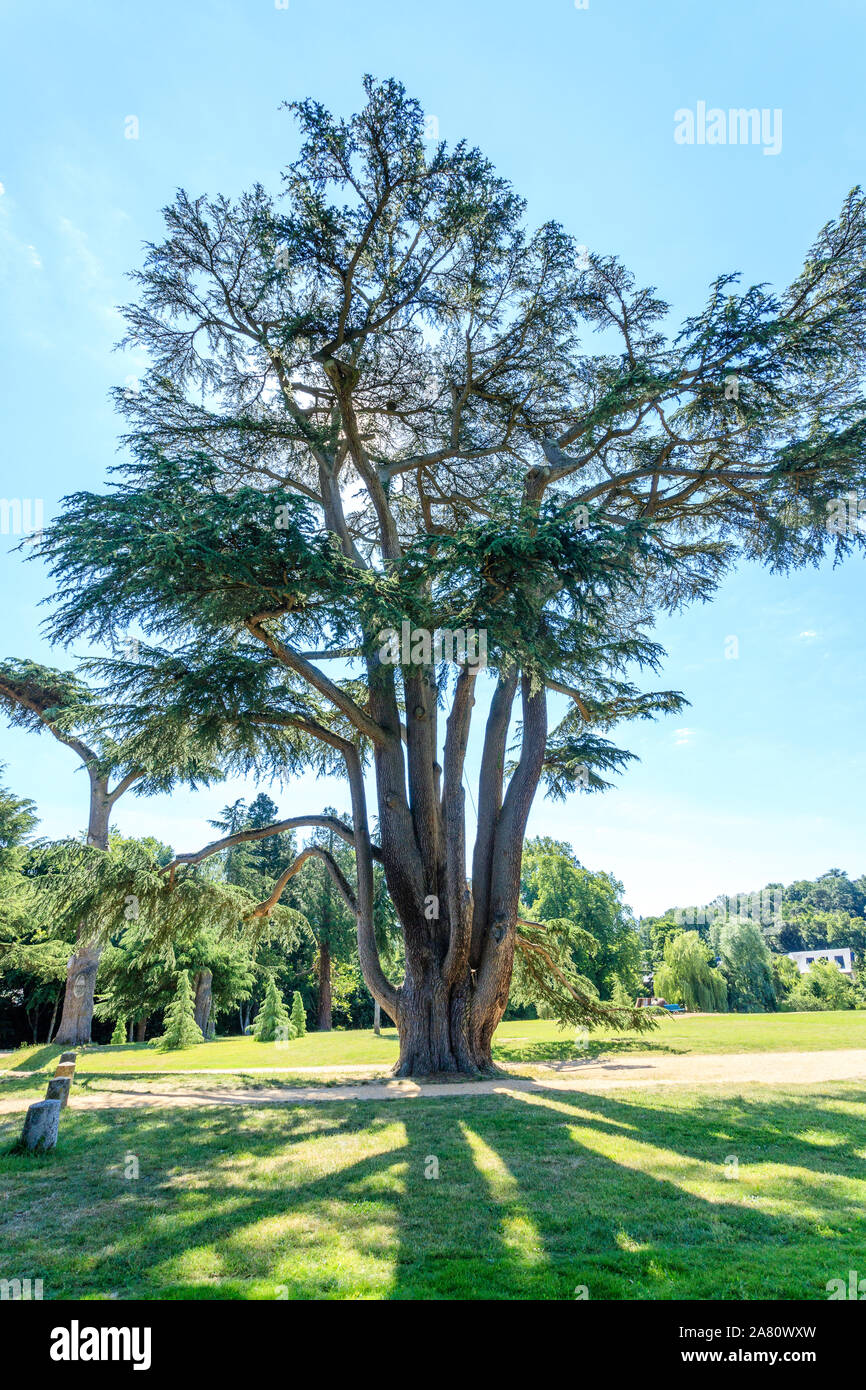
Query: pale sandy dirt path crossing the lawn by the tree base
[(733, 1070)]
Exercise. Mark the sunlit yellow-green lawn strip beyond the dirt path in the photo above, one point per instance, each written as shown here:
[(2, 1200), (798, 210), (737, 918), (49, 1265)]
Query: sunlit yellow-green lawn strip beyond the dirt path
[(522, 1042)]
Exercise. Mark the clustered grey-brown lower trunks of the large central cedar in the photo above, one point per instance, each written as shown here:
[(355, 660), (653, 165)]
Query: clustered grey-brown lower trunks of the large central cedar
[(459, 961)]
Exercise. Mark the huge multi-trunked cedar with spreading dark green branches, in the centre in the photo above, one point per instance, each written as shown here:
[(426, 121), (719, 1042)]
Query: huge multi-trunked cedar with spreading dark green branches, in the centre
[(369, 405)]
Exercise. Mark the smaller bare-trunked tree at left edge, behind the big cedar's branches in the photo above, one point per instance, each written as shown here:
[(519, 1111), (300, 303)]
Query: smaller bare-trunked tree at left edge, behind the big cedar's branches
[(41, 698)]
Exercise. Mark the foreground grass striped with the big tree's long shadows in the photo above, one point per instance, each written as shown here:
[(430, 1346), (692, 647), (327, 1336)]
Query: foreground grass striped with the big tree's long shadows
[(626, 1195)]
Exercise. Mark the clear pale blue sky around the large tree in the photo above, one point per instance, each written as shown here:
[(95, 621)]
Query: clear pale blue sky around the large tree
[(762, 779)]
